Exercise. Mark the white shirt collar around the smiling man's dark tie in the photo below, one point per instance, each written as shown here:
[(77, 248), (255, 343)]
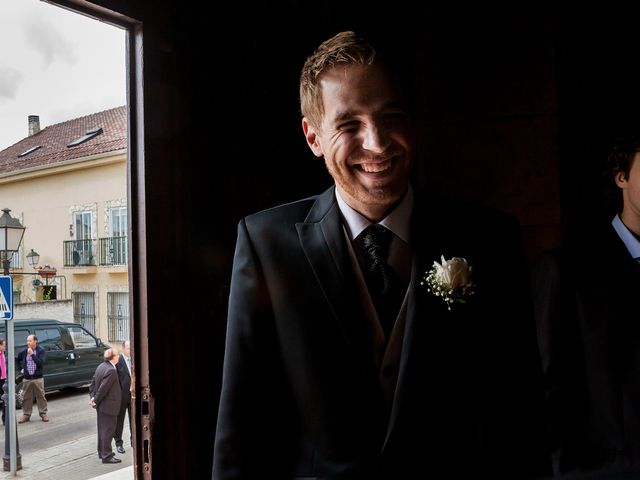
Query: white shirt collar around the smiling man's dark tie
[(398, 220)]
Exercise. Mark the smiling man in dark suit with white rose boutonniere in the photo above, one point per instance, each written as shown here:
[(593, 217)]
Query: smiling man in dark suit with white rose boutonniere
[(350, 354)]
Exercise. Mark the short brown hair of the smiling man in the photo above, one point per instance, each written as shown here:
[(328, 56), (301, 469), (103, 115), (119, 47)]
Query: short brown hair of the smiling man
[(345, 47)]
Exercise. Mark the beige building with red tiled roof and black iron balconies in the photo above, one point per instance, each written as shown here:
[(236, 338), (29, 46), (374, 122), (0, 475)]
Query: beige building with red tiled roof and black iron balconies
[(67, 185)]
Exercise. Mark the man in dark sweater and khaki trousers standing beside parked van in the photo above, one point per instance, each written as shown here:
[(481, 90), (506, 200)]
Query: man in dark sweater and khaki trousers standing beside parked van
[(31, 362)]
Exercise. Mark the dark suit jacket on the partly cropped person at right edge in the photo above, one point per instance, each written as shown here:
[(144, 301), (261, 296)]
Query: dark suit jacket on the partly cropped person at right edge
[(589, 331)]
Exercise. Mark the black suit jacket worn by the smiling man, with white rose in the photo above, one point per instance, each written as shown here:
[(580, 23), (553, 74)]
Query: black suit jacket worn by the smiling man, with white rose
[(301, 396)]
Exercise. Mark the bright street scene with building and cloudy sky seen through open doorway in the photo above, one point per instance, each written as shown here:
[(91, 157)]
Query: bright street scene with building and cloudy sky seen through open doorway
[(64, 247)]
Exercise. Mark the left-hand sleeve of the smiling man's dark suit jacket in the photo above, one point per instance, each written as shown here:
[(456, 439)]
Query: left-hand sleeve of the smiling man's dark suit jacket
[(251, 436)]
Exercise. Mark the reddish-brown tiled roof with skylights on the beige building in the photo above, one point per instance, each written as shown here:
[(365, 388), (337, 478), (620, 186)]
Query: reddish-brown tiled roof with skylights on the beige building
[(54, 139)]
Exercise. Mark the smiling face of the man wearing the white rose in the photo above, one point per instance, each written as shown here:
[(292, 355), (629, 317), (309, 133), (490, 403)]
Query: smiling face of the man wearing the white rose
[(364, 135)]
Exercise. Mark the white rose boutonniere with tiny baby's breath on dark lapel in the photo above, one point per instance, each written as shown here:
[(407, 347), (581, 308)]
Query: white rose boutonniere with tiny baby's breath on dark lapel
[(450, 280)]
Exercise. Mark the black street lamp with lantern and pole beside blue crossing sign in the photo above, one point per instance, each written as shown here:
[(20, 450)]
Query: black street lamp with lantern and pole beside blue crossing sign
[(11, 232)]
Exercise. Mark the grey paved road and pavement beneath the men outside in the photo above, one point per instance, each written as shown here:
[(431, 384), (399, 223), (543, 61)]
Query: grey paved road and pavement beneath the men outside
[(65, 447)]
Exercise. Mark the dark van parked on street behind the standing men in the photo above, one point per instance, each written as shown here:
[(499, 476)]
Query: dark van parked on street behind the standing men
[(73, 353)]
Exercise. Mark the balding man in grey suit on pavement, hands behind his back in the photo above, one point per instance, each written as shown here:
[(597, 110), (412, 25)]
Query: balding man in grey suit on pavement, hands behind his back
[(106, 398)]
